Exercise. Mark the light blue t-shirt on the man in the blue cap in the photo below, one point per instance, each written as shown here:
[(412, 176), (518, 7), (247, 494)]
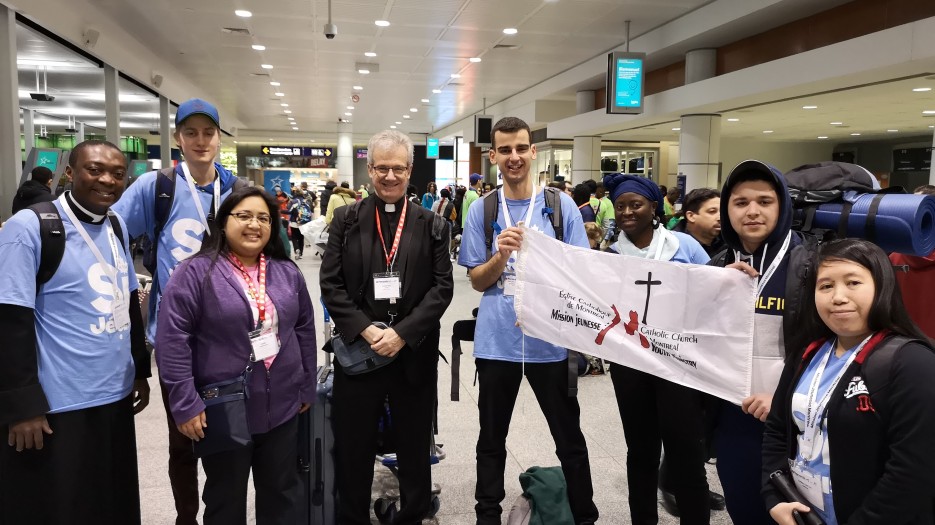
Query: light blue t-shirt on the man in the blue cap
[(183, 230)]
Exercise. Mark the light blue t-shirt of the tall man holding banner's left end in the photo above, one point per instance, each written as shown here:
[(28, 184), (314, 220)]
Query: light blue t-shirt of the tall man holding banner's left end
[(497, 336)]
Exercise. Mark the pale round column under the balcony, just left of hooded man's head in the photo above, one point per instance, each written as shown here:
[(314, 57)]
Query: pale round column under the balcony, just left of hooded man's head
[(700, 150)]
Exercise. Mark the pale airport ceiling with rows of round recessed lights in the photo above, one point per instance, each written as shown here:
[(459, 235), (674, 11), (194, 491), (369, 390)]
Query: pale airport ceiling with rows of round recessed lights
[(416, 56)]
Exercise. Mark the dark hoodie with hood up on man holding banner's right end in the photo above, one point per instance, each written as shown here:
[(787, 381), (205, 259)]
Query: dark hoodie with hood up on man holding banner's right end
[(768, 340)]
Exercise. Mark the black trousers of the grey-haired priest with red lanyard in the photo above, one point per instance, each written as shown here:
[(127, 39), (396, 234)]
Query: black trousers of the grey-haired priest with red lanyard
[(358, 404)]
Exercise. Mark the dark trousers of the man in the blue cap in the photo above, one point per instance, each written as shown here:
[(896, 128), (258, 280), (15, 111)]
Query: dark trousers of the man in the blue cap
[(183, 470)]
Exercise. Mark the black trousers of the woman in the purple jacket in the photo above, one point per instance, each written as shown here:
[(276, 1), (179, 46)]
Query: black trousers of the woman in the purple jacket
[(273, 459)]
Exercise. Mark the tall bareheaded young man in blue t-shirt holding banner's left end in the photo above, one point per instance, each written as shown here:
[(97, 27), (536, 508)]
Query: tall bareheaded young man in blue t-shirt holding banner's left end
[(501, 352)]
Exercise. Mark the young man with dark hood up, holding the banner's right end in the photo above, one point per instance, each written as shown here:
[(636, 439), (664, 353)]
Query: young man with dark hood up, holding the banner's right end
[(756, 222)]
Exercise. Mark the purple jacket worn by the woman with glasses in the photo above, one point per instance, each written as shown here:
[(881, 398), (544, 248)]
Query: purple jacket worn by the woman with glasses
[(202, 338)]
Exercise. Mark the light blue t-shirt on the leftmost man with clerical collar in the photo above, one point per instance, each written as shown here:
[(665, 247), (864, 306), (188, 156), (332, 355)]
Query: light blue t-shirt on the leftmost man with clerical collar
[(84, 361)]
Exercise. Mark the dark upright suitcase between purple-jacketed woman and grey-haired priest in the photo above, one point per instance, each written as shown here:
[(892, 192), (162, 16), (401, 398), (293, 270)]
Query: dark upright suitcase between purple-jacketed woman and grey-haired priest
[(316, 456)]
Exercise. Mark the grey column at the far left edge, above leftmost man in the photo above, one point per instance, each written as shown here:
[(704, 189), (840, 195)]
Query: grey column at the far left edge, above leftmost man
[(11, 157)]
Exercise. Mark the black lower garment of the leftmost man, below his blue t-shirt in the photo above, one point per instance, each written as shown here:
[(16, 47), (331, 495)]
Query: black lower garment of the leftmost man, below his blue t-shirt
[(86, 472)]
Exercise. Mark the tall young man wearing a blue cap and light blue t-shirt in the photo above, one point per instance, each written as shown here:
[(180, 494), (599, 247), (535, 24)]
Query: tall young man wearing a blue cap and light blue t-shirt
[(172, 208)]
